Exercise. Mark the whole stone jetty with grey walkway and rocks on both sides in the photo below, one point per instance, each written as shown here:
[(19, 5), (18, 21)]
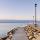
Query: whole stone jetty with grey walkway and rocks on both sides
[(29, 32)]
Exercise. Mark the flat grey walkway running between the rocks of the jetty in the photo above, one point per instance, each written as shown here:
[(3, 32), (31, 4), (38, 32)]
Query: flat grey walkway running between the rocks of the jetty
[(20, 34)]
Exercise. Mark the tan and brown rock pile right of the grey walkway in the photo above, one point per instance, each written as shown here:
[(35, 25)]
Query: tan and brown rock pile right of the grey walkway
[(33, 32)]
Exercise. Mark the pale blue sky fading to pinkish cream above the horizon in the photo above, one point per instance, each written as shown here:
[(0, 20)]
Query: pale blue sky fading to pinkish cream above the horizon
[(19, 9)]
